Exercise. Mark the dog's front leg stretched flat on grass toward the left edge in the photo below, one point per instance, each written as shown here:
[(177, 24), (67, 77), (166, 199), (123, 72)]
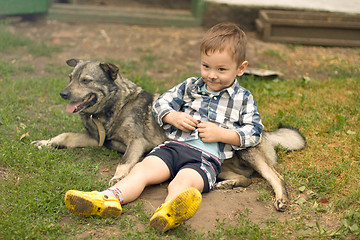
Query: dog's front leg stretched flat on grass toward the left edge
[(67, 140)]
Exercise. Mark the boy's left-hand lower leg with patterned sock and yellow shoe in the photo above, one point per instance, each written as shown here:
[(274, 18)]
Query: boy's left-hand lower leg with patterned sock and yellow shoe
[(152, 170)]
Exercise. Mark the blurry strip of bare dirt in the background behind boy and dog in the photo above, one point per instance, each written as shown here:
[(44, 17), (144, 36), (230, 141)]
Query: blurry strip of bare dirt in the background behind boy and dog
[(176, 49)]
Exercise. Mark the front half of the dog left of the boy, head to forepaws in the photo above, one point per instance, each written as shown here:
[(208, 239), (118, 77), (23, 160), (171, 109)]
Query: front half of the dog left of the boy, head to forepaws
[(115, 112)]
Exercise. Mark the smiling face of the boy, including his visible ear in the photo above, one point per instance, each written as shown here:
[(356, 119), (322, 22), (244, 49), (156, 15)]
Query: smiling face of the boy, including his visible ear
[(219, 70)]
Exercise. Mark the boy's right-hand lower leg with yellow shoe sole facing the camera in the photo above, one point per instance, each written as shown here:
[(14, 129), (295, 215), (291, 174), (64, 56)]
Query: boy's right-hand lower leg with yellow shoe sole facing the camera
[(182, 202)]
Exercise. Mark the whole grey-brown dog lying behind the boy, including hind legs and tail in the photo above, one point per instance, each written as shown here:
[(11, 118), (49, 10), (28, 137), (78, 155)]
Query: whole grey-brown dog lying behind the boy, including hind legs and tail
[(117, 113)]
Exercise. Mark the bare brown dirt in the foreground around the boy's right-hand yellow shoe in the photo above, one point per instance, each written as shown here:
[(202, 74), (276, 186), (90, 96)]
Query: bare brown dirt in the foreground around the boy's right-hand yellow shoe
[(217, 205)]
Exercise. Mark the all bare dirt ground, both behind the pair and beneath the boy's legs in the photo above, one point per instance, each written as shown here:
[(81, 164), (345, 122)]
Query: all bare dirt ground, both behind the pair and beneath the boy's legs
[(179, 48)]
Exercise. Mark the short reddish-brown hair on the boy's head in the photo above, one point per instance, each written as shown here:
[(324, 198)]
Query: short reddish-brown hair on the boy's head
[(225, 36)]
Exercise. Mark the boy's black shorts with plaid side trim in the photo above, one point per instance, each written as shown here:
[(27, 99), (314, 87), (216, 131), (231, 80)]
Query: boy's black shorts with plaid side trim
[(179, 155)]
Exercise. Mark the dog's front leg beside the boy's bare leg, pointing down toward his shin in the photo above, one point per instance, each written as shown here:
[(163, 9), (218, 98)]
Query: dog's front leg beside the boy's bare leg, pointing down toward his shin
[(133, 154)]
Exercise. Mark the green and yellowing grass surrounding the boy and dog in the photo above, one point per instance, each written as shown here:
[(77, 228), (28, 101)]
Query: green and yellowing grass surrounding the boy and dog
[(325, 175)]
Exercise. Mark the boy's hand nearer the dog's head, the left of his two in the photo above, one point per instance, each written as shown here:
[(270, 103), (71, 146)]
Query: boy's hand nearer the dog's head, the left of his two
[(181, 120)]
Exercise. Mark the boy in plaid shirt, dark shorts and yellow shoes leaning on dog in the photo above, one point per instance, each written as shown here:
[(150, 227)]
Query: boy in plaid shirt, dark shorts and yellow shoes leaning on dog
[(206, 118)]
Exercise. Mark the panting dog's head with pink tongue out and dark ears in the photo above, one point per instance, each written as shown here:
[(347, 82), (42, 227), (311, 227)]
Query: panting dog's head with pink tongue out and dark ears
[(91, 85)]
